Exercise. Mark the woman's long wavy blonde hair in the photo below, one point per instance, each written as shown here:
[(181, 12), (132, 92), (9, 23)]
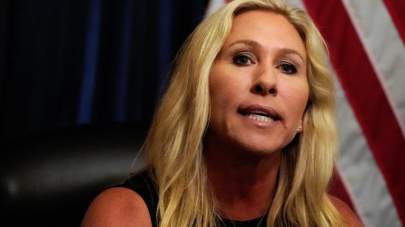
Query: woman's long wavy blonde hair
[(174, 145)]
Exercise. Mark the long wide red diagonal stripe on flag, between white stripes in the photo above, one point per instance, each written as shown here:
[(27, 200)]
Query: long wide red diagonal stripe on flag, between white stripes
[(364, 93)]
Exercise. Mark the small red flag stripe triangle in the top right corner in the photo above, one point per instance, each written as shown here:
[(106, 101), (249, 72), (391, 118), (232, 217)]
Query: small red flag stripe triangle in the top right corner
[(396, 8)]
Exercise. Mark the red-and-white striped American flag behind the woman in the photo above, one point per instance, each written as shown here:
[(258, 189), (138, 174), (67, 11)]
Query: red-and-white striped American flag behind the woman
[(366, 43)]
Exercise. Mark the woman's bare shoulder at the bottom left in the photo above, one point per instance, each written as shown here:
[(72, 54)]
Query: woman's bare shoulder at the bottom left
[(117, 207)]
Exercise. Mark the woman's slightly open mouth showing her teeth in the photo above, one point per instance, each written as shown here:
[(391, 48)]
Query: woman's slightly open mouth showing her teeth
[(259, 113)]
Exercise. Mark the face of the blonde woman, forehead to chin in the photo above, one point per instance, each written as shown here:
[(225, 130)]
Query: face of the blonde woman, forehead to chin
[(258, 84)]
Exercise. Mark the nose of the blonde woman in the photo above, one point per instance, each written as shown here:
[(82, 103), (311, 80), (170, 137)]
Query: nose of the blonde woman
[(265, 82)]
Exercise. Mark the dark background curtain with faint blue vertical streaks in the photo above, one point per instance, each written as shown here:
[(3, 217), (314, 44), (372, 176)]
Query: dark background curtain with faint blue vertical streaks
[(87, 62)]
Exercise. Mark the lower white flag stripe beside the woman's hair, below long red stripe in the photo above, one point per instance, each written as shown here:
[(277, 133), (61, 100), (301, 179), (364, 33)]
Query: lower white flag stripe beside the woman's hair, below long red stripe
[(360, 174)]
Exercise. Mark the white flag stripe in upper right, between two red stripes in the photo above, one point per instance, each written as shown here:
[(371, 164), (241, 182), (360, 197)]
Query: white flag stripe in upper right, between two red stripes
[(384, 48)]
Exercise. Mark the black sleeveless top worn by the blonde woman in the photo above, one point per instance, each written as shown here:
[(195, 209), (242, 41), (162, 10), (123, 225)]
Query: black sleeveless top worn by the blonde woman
[(143, 184)]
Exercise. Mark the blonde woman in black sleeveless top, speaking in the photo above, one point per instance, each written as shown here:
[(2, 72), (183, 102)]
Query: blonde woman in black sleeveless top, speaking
[(244, 135)]
